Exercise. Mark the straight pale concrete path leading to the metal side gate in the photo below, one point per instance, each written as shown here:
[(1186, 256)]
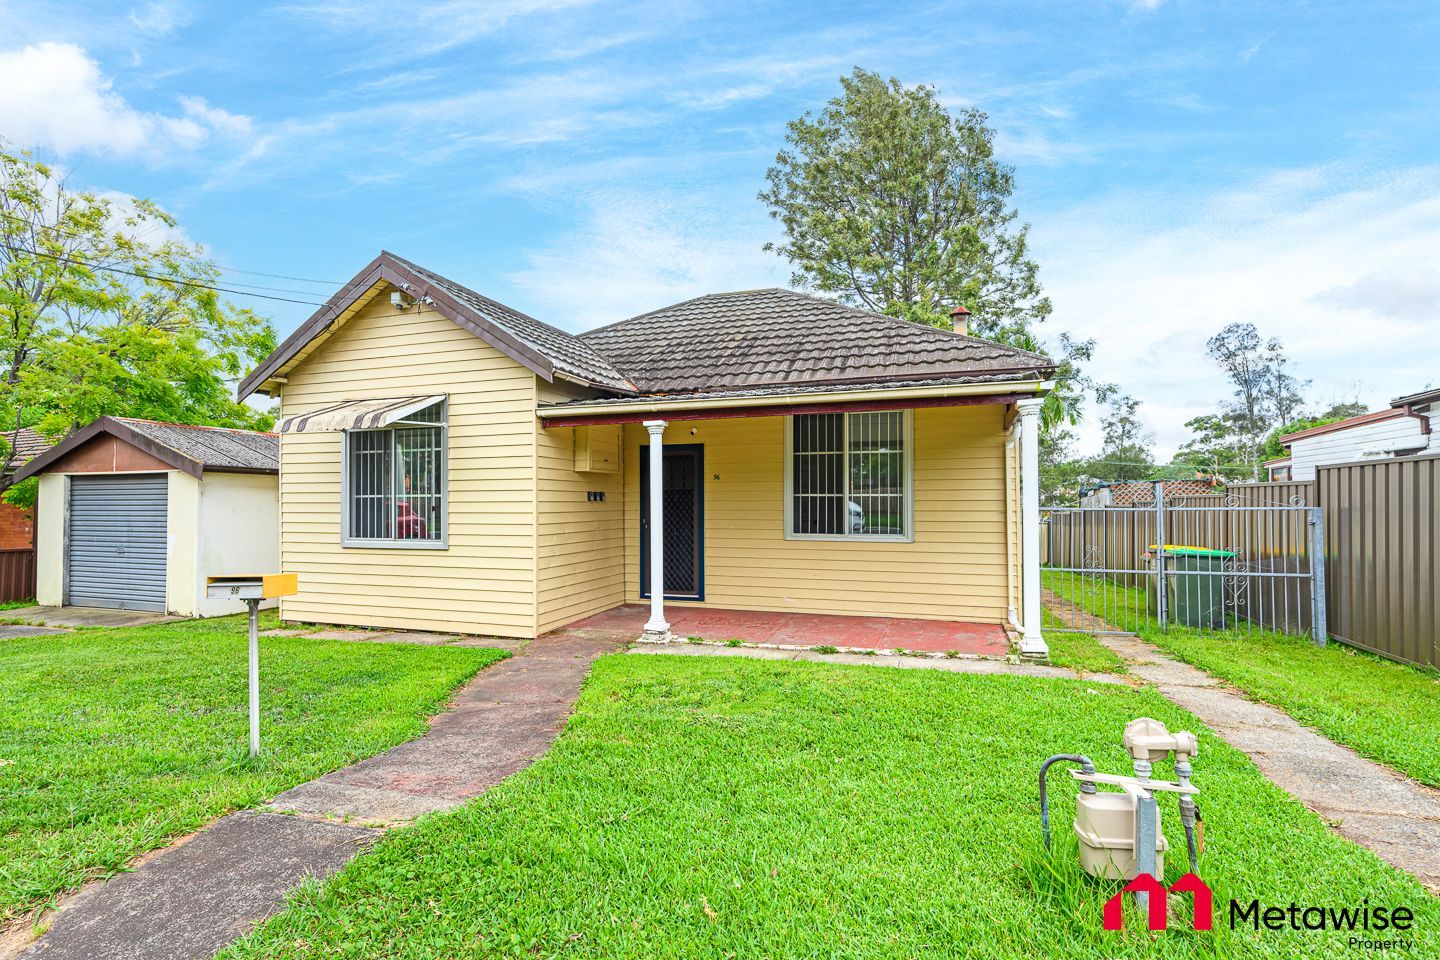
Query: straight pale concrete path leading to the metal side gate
[(1366, 802)]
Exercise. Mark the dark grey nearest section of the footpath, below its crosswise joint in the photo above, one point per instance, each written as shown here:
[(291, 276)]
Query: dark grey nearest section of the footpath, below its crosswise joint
[(194, 899)]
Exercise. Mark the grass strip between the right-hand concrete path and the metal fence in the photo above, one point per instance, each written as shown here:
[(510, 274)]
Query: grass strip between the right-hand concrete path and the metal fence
[(1383, 710)]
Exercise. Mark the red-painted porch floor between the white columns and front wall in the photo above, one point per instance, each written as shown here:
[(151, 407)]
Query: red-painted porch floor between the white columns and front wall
[(810, 630)]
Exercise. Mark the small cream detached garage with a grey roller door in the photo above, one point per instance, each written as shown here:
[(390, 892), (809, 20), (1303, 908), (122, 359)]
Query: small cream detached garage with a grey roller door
[(136, 515)]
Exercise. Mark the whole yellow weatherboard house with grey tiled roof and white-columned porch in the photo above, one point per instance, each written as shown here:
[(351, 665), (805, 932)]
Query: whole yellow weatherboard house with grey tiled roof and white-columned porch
[(451, 464)]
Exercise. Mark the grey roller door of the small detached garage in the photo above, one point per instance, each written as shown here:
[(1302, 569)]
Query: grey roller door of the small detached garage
[(117, 542)]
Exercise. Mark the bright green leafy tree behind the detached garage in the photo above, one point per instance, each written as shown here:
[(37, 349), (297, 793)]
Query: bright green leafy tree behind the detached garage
[(96, 319)]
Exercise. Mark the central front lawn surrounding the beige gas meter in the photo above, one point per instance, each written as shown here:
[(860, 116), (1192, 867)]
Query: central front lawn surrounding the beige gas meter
[(728, 808)]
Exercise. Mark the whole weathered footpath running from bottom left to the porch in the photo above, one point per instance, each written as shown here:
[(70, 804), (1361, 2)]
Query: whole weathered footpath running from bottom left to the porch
[(189, 900)]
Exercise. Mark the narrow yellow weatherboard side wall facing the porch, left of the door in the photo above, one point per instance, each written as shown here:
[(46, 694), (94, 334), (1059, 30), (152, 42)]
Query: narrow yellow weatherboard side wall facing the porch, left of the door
[(581, 542)]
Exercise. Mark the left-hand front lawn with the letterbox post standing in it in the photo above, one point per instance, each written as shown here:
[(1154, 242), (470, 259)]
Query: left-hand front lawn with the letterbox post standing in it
[(113, 742)]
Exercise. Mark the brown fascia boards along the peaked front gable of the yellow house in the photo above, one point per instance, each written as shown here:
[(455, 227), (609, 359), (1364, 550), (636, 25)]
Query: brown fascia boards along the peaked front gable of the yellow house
[(385, 268)]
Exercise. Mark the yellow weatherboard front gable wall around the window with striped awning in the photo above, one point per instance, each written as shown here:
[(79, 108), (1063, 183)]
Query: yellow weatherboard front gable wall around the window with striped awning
[(486, 581)]
